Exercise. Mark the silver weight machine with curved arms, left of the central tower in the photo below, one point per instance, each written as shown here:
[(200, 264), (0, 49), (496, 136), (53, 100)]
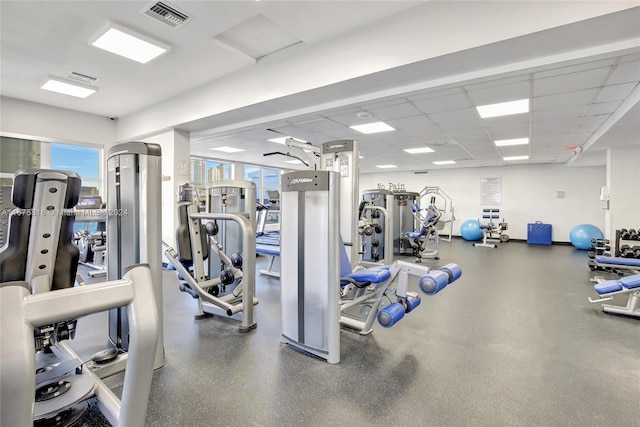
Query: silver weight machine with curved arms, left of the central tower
[(196, 243)]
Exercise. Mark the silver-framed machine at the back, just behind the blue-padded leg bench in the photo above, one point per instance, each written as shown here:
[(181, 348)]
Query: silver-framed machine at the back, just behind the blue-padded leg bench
[(378, 202)]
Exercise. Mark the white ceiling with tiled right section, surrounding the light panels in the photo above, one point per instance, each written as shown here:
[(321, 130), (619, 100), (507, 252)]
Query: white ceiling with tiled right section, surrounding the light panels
[(582, 80)]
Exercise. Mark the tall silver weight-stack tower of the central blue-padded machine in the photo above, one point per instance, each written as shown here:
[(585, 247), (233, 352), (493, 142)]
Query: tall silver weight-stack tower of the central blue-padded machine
[(309, 290)]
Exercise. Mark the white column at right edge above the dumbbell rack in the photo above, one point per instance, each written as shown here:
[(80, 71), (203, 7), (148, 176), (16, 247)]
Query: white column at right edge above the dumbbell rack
[(623, 180)]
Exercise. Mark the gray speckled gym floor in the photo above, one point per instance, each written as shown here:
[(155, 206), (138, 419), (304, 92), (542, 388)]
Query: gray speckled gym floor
[(514, 342)]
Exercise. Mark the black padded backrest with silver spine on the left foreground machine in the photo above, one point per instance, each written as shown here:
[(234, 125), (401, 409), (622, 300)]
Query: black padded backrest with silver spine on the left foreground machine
[(39, 248)]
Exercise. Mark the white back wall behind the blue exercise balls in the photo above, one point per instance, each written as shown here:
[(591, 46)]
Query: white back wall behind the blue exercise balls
[(528, 194)]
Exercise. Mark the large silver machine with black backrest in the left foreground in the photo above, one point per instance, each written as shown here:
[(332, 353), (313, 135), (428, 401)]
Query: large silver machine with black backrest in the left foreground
[(38, 298)]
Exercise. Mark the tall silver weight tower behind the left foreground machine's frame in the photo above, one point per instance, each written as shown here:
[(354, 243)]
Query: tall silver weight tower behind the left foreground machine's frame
[(134, 180)]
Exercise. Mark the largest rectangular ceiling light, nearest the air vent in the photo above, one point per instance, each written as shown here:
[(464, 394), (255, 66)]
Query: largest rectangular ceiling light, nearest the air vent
[(129, 44)]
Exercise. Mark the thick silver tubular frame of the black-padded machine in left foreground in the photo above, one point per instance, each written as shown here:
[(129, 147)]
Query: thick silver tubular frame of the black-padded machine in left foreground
[(33, 304)]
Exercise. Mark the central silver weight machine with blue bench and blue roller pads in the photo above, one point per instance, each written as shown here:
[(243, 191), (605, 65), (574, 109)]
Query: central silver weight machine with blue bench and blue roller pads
[(319, 289)]
